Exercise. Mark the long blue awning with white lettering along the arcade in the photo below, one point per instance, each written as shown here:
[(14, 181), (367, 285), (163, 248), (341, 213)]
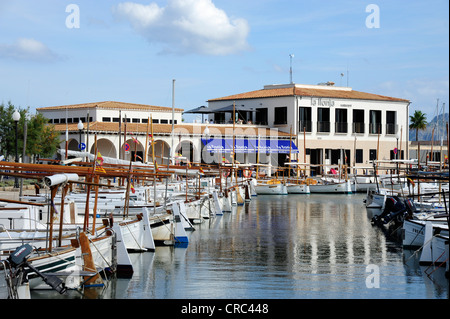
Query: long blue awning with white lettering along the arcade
[(221, 145)]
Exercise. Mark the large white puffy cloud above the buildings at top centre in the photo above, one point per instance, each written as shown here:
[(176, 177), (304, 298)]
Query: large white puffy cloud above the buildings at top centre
[(187, 26)]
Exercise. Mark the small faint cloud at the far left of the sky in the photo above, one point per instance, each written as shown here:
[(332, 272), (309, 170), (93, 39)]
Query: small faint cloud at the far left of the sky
[(25, 49)]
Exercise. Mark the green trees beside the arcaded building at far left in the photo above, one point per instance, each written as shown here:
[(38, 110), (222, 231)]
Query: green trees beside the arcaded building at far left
[(42, 141)]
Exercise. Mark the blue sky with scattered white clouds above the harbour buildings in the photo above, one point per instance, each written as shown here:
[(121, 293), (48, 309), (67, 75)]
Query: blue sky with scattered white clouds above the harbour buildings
[(55, 52)]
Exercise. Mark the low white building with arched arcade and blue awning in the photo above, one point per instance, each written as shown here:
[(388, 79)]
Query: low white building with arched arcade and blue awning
[(113, 127)]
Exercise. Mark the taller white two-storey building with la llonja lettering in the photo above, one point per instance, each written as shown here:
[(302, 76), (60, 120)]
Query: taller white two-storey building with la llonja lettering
[(331, 124)]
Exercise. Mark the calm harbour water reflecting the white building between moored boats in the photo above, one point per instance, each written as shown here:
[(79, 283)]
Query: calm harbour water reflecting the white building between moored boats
[(282, 247)]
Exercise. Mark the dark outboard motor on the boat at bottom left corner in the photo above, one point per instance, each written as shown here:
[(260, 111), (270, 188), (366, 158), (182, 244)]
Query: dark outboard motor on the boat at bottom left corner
[(19, 262)]
